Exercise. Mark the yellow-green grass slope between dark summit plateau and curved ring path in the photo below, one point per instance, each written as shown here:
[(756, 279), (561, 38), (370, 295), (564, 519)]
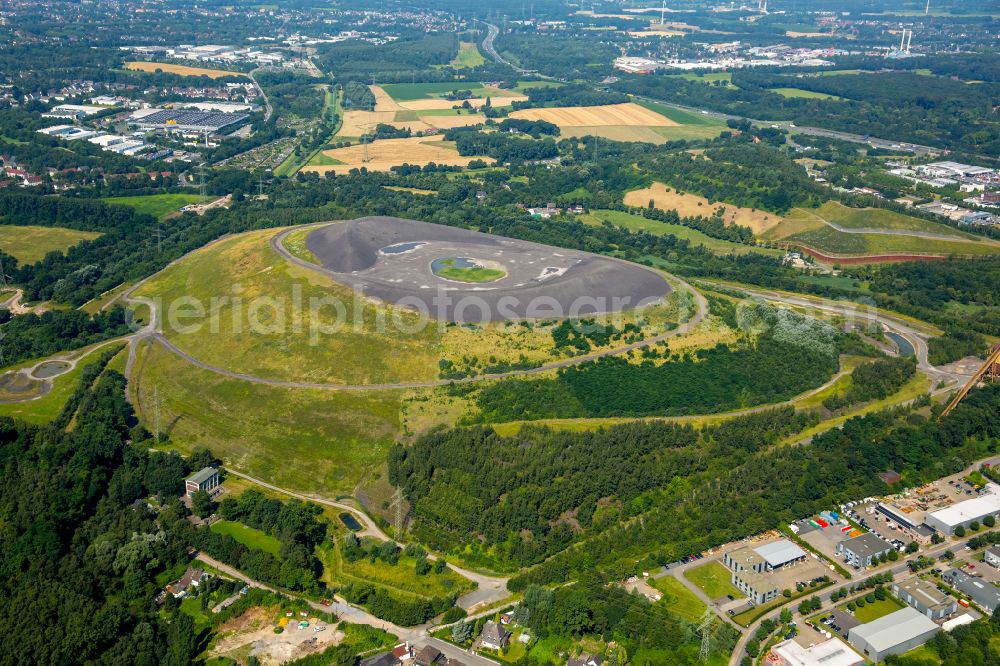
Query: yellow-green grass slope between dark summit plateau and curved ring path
[(277, 339)]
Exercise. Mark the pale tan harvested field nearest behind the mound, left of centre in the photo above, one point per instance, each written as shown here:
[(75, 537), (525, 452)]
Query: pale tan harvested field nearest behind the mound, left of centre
[(387, 153)]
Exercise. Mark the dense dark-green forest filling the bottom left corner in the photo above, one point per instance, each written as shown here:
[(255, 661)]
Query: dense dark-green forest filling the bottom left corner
[(77, 559)]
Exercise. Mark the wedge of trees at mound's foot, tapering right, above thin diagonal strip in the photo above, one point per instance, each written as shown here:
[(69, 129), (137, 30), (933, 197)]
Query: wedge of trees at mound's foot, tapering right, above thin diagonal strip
[(471, 483)]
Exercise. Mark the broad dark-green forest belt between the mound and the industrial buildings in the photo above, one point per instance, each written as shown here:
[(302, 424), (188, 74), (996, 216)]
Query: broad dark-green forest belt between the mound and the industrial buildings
[(686, 484)]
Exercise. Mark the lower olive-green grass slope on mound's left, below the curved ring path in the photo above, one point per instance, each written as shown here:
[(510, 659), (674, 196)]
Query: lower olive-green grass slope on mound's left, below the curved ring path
[(308, 440)]
